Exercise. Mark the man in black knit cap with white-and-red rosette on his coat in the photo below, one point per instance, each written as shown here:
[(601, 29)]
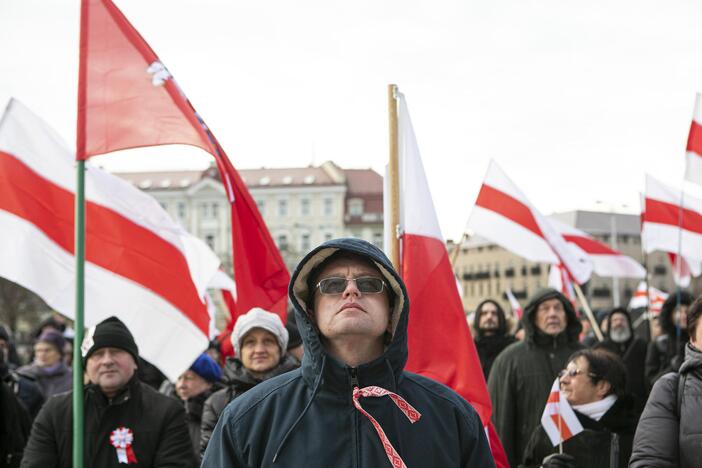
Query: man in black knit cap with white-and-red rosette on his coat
[(126, 421)]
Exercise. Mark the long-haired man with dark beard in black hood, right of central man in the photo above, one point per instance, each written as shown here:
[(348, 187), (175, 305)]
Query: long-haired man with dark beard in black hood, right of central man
[(491, 336)]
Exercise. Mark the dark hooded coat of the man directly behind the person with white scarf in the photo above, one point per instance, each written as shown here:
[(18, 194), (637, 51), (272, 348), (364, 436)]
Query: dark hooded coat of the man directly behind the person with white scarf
[(522, 375)]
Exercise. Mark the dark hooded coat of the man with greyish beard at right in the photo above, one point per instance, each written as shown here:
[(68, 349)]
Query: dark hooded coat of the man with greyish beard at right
[(633, 353)]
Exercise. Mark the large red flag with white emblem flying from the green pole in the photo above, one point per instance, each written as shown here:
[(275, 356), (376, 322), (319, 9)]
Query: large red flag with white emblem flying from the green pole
[(127, 98)]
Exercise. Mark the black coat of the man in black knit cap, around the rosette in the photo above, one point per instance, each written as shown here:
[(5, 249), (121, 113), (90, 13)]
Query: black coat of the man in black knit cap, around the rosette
[(157, 422)]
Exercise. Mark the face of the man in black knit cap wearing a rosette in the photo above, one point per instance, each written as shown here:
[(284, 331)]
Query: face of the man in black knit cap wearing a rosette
[(111, 369)]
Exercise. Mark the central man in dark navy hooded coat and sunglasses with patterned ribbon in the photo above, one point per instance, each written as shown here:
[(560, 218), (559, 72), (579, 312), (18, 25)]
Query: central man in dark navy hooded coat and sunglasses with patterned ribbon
[(351, 404)]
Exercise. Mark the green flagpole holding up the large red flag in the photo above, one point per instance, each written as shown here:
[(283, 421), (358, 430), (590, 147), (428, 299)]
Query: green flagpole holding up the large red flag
[(78, 418)]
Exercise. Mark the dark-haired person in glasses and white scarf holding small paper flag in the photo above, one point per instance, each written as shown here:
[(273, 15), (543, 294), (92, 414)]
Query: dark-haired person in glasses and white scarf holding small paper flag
[(594, 384)]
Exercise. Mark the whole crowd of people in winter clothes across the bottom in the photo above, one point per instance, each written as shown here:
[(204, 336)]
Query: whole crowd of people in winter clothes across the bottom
[(328, 387)]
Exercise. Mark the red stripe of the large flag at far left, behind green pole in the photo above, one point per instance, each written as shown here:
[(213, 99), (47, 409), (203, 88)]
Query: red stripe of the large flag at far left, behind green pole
[(113, 242)]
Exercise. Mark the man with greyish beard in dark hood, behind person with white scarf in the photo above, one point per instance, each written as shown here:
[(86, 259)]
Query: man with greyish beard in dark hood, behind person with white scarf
[(620, 339)]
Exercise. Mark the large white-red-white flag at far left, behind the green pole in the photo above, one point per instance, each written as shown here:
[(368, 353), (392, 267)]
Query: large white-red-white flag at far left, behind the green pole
[(141, 266)]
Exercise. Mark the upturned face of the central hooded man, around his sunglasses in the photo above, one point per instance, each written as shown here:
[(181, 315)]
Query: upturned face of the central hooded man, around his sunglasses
[(351, 313)]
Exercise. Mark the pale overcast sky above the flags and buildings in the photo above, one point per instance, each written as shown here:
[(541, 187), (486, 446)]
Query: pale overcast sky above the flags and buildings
[(575, 100)]
